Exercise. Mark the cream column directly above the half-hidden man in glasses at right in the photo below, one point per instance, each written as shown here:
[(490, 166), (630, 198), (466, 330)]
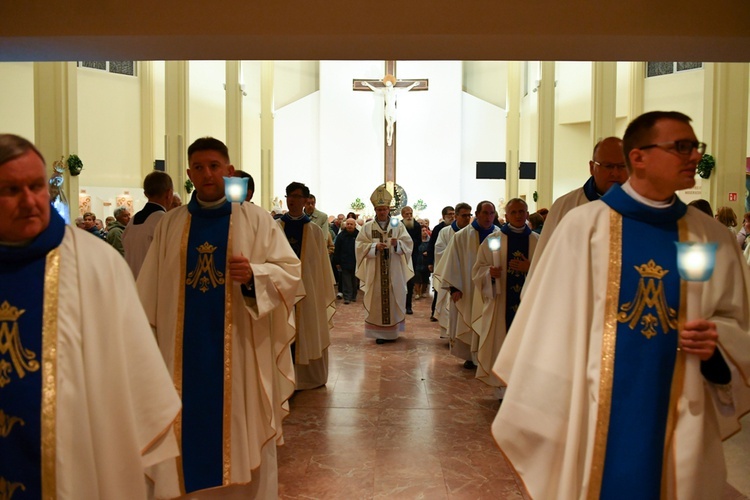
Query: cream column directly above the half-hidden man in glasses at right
[(603, 100)]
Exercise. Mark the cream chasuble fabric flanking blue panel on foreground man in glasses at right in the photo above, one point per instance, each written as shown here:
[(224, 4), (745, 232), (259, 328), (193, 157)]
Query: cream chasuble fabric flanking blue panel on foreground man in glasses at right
[(551, 362)]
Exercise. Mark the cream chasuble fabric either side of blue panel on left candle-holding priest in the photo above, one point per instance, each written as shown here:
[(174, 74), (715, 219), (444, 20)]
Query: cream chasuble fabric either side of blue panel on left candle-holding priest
[(262, 331)]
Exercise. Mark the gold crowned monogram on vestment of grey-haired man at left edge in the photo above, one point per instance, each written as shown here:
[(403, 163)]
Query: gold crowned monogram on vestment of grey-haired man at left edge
[(21, 359)]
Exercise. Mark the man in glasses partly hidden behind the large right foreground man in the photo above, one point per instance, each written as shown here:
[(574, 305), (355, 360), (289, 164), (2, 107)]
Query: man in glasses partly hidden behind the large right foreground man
[(607, 167)]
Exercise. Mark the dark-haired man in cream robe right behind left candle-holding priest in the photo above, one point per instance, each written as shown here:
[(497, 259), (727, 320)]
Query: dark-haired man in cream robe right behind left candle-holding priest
[(314, 311)]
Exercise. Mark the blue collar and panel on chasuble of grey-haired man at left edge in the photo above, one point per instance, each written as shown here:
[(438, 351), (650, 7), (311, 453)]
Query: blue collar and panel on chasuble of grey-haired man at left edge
[(22, 271)]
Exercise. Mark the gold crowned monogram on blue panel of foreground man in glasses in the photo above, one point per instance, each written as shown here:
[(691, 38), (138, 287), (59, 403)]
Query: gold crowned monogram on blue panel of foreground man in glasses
[(650, 294)]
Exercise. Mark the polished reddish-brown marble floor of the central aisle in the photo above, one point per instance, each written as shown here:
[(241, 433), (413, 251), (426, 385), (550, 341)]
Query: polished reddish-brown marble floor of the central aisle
[(404, 420)]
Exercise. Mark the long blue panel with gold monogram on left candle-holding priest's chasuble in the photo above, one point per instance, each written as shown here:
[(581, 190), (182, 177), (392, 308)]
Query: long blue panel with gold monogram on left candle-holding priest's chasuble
[(203, 349)]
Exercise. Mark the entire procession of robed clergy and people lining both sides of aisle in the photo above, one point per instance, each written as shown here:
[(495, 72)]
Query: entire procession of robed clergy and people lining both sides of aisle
[(618, 376)]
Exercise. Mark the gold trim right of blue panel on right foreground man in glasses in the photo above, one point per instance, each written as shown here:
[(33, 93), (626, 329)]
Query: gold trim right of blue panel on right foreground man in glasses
[(678, 380)]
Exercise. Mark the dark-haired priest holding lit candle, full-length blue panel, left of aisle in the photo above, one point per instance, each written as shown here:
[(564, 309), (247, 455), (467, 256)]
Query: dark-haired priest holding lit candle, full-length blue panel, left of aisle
[(218, 286)]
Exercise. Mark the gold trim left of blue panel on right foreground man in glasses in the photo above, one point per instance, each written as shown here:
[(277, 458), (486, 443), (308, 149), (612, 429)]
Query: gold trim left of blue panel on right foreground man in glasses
[(607, 368)]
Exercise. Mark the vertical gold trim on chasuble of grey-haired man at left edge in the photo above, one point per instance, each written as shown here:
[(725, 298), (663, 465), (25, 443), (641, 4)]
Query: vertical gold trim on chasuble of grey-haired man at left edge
[(49, 375)]
